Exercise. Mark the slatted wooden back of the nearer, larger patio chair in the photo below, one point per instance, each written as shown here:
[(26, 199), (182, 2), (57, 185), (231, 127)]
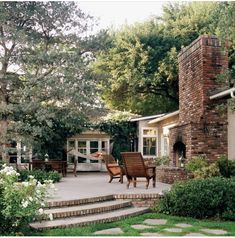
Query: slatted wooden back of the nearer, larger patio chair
[(134, 164)]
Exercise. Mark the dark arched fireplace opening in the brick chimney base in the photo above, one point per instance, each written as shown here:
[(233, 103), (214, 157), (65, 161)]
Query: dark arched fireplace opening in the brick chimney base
[(179, 156)]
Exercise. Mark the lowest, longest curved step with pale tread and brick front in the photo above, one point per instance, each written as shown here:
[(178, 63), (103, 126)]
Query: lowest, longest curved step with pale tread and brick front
[(91, 219)]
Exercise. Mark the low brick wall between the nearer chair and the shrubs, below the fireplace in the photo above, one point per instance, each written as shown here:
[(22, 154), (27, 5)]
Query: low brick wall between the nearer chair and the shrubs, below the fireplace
[(170, 174)]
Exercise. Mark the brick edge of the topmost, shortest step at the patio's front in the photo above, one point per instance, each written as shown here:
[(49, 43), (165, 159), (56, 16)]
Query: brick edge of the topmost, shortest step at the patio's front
[(82, 201)]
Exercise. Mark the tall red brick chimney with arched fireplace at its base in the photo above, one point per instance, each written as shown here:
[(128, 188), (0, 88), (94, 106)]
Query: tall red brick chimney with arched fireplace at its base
[(202, 129)]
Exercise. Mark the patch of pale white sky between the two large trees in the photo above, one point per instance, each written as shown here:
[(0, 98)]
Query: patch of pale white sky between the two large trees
[(116, 13)]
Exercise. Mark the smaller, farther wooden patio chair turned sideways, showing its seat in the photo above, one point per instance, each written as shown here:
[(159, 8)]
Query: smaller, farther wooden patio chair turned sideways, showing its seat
[(114, 170)]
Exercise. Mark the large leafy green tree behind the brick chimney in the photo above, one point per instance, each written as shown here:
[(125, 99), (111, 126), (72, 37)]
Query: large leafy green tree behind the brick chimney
[(139, 69)]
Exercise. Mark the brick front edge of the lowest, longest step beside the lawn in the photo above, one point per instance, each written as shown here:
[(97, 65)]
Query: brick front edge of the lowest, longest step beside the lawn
[(105, 220)]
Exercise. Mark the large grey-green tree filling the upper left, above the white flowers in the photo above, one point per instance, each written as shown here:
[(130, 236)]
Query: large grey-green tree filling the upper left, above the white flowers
[(45, 87)]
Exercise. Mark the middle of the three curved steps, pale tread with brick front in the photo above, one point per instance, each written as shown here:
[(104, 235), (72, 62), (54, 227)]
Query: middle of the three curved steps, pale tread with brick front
[(84, 210)]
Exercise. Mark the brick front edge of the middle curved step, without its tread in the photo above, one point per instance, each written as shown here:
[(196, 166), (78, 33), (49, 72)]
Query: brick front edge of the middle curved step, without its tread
[(86, 212)]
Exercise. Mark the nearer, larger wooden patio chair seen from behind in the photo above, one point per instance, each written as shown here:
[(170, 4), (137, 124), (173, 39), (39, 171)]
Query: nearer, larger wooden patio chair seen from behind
[(135, 168)]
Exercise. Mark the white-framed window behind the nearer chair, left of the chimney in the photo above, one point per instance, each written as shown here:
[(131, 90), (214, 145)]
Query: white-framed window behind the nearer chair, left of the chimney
[(149, 146)]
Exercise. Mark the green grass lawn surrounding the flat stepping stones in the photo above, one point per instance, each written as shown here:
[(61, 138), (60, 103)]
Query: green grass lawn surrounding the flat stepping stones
[(125, 225)]
